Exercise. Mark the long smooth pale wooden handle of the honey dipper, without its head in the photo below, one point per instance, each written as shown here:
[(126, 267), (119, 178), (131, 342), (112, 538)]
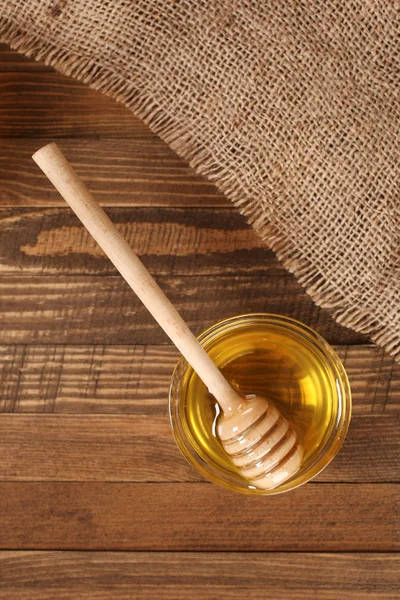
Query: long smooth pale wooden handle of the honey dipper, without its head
[(61, 174)]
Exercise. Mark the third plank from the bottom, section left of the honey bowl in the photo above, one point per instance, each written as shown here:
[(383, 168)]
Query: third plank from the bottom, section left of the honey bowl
[(96, 448)]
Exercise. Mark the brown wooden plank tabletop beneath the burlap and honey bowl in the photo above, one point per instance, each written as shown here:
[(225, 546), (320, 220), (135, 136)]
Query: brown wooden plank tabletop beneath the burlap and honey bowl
[(95, 500)]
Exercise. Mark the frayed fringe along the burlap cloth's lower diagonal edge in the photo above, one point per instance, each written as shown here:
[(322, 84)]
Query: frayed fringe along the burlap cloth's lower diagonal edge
[(104, 80)]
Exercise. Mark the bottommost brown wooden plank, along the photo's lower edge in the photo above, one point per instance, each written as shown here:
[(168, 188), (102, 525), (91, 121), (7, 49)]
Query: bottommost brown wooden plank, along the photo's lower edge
[(165, 575)]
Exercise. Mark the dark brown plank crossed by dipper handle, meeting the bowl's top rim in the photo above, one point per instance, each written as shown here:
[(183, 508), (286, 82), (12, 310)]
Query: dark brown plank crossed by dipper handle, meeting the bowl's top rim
[(90, 309)]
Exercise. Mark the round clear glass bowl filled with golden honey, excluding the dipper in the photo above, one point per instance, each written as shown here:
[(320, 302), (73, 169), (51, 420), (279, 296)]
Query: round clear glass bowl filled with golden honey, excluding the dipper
[(277, 358)]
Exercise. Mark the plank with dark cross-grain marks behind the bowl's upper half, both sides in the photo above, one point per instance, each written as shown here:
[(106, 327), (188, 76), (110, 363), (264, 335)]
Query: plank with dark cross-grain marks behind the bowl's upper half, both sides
[(135, 379)]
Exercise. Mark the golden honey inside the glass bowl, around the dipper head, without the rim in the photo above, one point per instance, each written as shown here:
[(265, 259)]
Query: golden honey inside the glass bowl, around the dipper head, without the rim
[(273, 363)]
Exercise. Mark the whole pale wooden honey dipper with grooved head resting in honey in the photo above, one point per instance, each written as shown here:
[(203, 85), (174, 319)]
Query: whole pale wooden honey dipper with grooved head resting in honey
[(258, 439)]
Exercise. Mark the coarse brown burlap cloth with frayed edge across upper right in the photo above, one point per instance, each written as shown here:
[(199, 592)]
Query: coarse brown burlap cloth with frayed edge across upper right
[(291, 108)]
